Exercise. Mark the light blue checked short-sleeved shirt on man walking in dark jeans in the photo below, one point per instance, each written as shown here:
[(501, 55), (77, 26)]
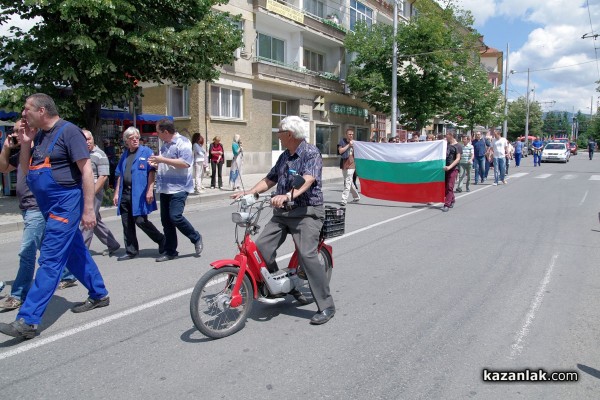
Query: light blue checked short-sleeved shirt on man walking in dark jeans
[(170, 180)]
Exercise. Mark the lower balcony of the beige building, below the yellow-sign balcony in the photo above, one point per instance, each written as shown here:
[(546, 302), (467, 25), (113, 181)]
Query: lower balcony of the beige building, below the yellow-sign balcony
[(285, 73)]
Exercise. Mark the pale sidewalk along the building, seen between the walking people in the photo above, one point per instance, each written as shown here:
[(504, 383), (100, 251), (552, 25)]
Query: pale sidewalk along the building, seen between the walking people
[(11, 219)]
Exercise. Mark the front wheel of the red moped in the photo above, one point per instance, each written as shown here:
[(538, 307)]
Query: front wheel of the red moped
[(209, 305)]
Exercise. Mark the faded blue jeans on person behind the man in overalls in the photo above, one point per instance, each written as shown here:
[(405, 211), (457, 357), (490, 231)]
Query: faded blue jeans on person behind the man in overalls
[(33, 231)]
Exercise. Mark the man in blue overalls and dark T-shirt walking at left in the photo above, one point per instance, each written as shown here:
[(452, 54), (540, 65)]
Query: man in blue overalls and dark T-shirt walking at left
[(59, 174)]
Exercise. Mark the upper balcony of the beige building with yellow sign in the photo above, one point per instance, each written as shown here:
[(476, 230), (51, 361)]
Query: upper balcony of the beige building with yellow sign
[(293, 14)]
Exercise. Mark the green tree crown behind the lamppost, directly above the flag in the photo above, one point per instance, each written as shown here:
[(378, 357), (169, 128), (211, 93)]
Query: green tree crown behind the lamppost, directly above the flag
[(433, 48)]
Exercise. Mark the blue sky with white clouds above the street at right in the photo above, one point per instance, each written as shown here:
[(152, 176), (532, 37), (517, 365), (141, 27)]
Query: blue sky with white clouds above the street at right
[(546, 37)]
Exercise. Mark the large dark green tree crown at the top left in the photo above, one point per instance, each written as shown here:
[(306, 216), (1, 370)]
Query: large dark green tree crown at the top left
[(88, 53)]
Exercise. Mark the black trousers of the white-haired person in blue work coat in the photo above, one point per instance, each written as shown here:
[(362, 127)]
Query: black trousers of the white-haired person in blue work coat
[(129, 222)]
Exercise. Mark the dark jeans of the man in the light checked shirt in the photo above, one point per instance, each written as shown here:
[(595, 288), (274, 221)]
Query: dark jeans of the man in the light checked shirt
[(171, 216)]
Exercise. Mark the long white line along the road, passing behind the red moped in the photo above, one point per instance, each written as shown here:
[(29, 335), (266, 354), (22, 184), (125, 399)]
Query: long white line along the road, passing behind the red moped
[(35, 343)]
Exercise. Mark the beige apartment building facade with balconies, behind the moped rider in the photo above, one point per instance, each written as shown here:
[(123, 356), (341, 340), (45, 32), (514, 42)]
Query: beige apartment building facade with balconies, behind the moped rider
[(293, 62)]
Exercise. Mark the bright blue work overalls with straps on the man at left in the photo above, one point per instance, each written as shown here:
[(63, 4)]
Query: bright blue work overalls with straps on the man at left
[(62, 245)]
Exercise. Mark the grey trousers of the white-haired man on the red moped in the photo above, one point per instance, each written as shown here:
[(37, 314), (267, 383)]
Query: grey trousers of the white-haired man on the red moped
[(304, 224)]
